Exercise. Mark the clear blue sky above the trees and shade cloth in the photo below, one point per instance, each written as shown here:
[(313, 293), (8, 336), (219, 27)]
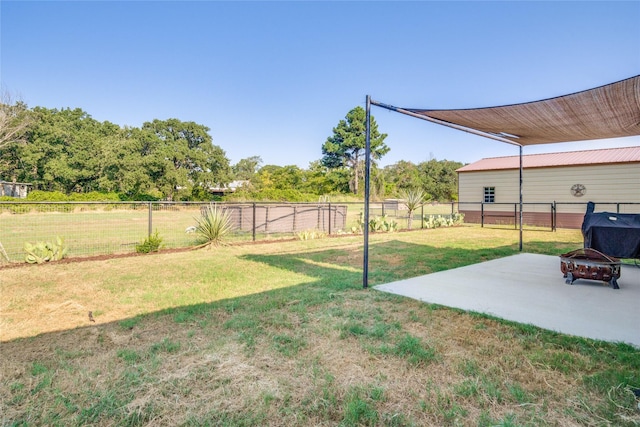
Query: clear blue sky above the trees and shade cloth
[(273, 78)]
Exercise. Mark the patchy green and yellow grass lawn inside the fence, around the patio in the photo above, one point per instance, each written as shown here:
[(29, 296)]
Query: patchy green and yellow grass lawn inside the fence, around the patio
[(283, 334)]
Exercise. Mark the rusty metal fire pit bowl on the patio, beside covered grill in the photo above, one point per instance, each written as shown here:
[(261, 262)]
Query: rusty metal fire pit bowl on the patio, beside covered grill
[(590, 264)]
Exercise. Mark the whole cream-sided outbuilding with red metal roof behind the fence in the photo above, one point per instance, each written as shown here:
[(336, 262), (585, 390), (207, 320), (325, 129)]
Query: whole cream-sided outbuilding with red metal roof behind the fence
[(488, 190)]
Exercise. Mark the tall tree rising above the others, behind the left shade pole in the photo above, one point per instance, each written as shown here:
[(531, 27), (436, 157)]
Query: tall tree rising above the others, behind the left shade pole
[(346, 147)]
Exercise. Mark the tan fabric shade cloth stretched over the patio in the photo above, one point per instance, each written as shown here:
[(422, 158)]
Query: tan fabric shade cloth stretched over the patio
[(609, 111)]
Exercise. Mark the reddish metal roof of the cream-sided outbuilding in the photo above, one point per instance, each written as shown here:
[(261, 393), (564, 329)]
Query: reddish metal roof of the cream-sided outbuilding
[(568, 158)]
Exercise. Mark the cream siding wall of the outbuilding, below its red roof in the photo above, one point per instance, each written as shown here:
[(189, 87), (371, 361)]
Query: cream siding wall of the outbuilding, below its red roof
[(604, 183)]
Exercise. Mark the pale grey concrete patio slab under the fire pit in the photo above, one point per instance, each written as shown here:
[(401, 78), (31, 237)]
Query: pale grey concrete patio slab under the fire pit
[(530, 289)]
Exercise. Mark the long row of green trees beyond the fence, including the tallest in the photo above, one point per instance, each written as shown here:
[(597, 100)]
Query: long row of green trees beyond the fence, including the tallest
[(67, 151)]
